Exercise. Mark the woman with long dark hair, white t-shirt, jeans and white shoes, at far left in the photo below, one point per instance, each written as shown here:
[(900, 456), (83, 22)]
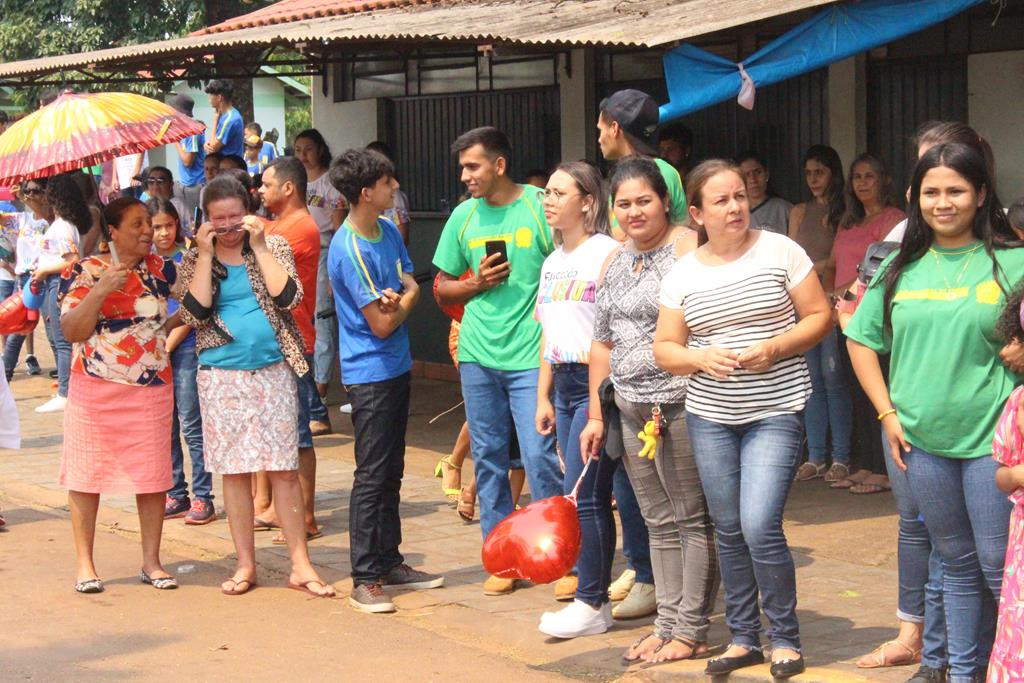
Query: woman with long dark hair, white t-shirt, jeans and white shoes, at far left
[(59, 250)]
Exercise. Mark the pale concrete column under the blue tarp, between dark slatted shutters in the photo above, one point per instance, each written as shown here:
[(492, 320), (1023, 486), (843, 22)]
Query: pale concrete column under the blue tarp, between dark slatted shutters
[(848, 108)]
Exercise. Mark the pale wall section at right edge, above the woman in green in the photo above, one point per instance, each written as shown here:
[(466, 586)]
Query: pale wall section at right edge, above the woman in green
[(996, 95)]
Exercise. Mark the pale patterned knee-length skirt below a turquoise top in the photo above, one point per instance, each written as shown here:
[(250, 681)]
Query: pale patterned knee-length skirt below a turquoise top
[(249, 419)]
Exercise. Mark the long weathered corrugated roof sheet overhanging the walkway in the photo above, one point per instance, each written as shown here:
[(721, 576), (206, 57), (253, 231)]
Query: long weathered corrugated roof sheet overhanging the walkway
[(532, 23)]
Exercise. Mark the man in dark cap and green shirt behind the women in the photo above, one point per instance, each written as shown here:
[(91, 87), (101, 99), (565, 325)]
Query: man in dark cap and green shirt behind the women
[(627, 127)]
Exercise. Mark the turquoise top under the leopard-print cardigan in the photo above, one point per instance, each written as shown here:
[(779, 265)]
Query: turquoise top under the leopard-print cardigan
[(254, 345)]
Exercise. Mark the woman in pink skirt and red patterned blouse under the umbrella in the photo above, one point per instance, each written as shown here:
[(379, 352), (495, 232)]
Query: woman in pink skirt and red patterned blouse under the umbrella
[(118, 421)]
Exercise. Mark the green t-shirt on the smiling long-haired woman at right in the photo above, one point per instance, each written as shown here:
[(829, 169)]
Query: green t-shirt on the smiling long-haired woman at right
[(947, 380)]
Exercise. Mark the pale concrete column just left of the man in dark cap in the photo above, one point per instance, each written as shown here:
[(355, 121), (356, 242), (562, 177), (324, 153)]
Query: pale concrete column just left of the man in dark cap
[(579, 109)]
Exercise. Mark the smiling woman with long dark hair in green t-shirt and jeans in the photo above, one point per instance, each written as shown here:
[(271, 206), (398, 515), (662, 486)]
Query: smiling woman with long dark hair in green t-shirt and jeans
[(934, 308)]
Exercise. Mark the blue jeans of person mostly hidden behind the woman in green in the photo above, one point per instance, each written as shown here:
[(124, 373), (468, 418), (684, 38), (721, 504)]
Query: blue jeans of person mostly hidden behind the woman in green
[(920, 570)]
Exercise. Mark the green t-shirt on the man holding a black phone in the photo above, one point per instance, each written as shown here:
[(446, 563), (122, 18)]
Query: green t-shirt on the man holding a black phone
[(498, 327)]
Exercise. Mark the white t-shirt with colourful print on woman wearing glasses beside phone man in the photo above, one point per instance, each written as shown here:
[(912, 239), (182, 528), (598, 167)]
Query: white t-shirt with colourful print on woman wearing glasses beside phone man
[(567, 302)]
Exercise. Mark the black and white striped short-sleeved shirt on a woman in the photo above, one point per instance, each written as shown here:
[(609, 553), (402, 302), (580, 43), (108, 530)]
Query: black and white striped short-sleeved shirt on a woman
[(735, 307)]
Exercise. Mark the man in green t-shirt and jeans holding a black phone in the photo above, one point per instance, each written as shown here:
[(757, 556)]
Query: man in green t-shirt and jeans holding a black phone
[(501, 234)]
